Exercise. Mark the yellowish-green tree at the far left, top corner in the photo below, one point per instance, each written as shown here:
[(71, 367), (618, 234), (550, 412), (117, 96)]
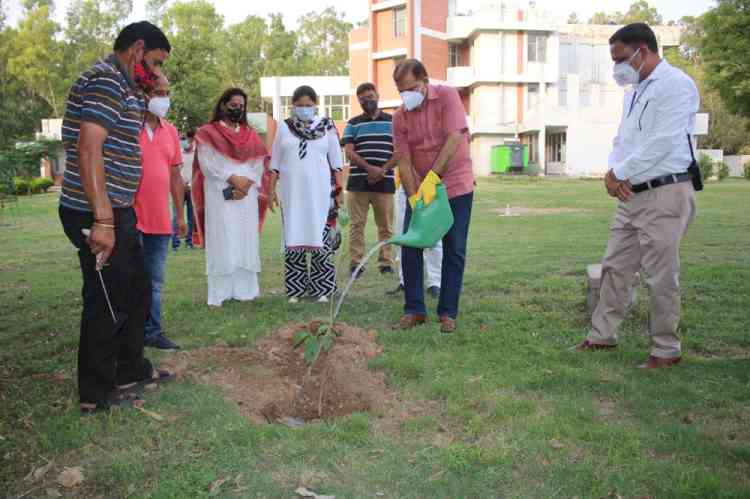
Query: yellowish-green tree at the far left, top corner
[(36, 58)]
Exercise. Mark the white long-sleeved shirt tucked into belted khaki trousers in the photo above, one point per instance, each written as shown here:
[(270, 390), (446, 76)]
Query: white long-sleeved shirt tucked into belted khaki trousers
[(658, 114)]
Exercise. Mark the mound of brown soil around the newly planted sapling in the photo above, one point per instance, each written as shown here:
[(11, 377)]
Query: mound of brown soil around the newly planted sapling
[(272, 382)]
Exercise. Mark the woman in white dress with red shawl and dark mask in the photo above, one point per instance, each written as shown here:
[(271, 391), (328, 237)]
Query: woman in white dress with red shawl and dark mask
[(230, 156)]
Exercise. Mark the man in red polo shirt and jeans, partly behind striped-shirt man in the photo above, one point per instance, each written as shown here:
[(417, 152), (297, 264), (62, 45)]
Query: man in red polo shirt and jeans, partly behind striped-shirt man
[(161, 158)]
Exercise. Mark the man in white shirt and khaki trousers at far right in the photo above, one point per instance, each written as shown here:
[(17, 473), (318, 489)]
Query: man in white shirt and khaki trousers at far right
[(648, 174)]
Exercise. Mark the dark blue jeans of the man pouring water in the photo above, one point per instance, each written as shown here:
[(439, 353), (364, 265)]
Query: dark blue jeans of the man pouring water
[(454, 260)]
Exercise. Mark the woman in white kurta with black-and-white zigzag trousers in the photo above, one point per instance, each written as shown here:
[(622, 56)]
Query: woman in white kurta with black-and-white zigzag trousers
[(306, 151)]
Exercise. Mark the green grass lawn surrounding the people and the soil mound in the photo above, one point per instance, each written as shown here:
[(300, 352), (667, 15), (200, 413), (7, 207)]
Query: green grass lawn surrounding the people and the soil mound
[(513, 412)]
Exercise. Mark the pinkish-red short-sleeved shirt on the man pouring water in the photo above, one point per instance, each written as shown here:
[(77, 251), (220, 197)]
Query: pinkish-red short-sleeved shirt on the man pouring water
[(422, 133)]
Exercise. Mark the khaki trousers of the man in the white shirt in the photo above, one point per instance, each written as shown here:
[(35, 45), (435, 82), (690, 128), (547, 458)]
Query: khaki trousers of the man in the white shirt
[(646, 235)]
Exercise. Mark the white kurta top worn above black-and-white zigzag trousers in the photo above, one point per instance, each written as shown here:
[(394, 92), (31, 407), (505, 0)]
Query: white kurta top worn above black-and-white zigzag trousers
[(305, 185)]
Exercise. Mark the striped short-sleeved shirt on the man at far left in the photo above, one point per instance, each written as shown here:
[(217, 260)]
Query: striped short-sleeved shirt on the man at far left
[(107, 96)]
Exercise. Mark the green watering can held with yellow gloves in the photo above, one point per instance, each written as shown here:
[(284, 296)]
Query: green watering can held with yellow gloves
[(429, 224)]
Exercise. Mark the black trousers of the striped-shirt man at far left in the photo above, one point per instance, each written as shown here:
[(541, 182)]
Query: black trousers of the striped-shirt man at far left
[(110, 351)]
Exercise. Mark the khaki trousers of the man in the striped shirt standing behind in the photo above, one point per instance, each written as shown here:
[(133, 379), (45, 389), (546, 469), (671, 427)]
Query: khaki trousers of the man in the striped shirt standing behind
[(359, 205)]
